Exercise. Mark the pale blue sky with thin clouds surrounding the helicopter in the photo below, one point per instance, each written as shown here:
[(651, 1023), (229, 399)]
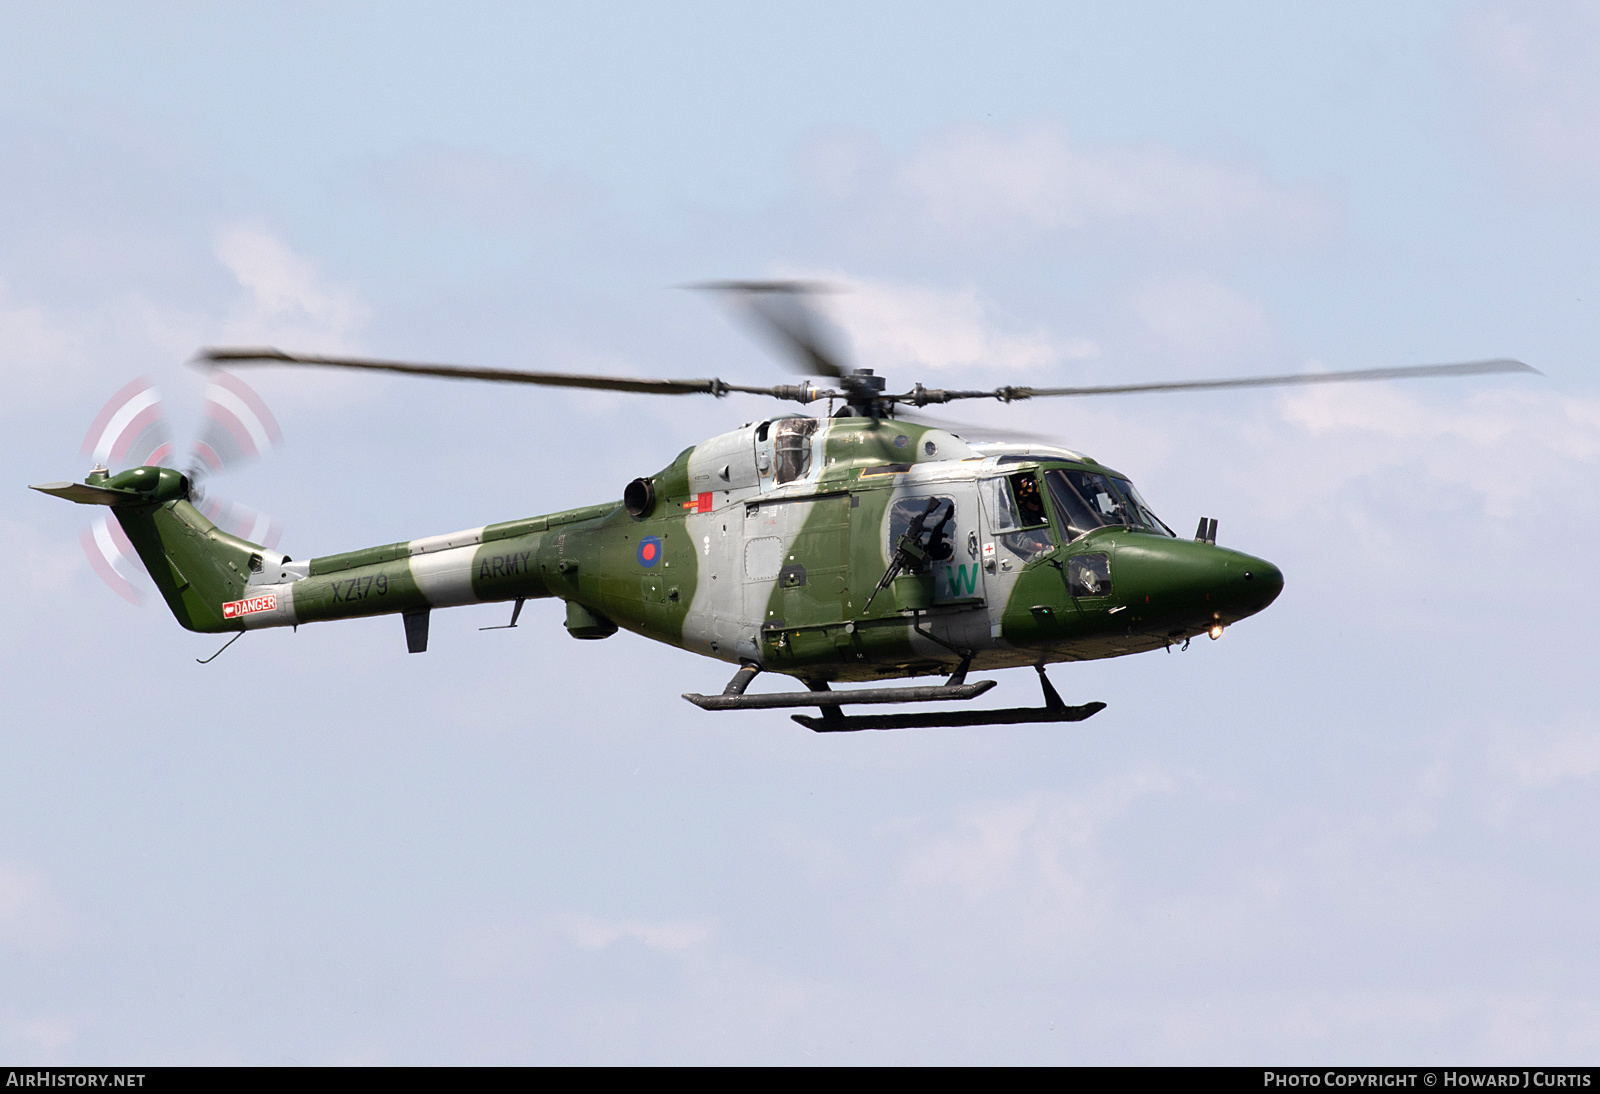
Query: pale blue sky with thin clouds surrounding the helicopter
[(1358, 829)]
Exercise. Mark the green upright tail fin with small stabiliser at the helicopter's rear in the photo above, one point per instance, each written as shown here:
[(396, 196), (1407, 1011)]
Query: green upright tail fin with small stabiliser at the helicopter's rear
[(194, 564)]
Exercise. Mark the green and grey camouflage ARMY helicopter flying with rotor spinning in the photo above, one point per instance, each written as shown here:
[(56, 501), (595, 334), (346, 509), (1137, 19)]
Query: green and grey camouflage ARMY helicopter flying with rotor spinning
[(865, 546)]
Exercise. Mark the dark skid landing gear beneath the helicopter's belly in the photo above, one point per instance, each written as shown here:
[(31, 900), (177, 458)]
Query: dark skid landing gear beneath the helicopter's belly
[(834, 721)]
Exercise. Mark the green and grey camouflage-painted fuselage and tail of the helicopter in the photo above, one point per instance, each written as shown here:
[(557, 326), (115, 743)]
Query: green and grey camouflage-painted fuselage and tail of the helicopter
[(762, 546)]
